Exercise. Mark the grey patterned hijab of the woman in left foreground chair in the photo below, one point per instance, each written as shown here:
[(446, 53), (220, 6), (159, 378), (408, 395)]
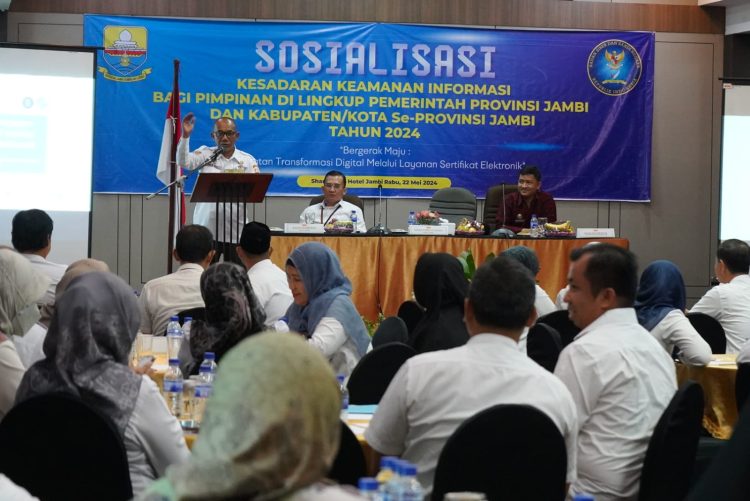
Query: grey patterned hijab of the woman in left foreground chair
[(87, 348)]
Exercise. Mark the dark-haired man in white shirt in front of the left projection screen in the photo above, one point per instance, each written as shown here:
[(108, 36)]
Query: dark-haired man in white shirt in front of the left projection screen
[(31, 234)]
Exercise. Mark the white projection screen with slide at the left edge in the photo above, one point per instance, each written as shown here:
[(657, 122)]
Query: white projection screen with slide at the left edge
[(46, 127)]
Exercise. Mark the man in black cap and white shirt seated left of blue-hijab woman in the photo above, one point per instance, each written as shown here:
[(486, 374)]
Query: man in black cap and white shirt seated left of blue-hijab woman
[(268, 280)]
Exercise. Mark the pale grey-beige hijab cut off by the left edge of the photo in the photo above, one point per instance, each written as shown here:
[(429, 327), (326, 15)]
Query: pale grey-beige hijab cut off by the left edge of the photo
[(20, 288)]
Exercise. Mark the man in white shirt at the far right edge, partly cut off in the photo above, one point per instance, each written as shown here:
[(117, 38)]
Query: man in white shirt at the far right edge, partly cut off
[(729, 302)]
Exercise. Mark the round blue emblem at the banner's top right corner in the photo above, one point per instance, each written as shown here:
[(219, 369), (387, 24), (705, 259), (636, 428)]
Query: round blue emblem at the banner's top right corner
[(614, 67)]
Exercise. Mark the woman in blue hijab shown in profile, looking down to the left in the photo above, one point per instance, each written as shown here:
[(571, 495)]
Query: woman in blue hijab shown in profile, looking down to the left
[(323, 310)]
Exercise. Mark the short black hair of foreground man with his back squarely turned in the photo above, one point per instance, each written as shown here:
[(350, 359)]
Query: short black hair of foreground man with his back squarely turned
[(502, 294)]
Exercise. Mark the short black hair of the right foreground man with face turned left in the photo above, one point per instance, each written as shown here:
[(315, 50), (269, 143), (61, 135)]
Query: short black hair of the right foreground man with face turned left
[(613, 267)]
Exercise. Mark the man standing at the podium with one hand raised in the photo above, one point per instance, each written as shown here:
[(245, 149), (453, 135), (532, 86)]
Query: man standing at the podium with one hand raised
[(229, 159)]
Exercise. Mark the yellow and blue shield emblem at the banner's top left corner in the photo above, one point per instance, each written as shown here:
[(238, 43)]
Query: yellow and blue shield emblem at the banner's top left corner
[(125, 53)]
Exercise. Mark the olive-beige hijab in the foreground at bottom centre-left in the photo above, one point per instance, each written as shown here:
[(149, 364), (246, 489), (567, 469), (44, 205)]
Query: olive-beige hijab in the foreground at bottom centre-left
[(271, 427)]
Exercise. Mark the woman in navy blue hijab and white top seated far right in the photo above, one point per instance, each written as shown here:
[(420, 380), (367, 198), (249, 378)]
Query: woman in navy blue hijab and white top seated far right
[(660, 306)]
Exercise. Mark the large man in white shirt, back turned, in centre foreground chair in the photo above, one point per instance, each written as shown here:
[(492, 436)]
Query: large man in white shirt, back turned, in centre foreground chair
[(433, 393)]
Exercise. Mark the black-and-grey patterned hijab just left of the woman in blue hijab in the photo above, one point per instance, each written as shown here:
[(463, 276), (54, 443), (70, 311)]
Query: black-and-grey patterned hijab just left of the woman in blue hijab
[(232, 311)]
